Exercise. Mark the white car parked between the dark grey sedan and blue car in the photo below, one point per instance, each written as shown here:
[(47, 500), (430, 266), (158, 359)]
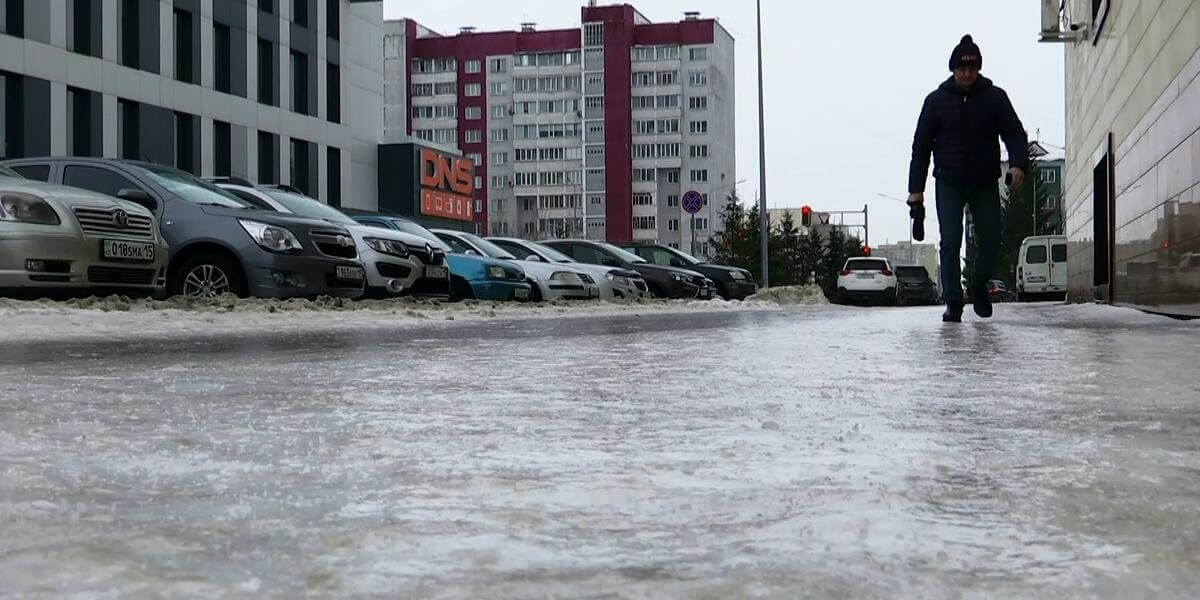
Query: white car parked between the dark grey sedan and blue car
[(397, 263)]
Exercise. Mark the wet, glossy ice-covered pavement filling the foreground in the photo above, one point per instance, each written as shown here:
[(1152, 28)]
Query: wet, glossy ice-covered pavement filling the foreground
[(820, 452)]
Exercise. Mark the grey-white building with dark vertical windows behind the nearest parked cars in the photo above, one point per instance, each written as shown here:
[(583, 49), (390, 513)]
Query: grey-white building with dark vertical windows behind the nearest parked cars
[(272, 91)]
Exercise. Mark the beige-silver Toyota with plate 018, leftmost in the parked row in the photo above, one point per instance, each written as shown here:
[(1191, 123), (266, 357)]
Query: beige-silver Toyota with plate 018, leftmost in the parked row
[(58, 238)]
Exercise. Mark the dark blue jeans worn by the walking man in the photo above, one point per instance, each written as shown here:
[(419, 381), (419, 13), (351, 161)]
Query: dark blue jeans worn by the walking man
[(985, 205)]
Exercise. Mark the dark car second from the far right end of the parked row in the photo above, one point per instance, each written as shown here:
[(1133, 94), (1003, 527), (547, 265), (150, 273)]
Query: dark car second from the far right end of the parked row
[(662, 281)]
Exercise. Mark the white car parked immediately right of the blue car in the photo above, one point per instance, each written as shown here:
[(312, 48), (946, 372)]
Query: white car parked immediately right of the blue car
[(548, 281)]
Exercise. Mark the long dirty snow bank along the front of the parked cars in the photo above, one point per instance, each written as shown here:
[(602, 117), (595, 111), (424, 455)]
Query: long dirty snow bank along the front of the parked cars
[(123, 319)]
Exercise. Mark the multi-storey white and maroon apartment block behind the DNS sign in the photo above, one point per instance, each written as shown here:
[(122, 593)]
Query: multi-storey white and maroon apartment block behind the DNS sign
[(596, 131)]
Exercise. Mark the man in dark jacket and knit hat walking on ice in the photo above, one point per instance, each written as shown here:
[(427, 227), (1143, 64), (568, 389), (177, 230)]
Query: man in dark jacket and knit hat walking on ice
[(961, 124)]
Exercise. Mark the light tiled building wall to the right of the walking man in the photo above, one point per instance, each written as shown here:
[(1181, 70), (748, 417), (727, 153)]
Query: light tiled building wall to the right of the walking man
[(1138, 81)]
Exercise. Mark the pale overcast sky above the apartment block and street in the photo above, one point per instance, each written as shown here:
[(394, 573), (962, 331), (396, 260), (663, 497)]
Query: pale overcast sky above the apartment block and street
[(844, 83)]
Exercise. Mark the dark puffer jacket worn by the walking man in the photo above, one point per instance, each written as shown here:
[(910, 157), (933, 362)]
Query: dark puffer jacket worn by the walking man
[(962, 130)]
